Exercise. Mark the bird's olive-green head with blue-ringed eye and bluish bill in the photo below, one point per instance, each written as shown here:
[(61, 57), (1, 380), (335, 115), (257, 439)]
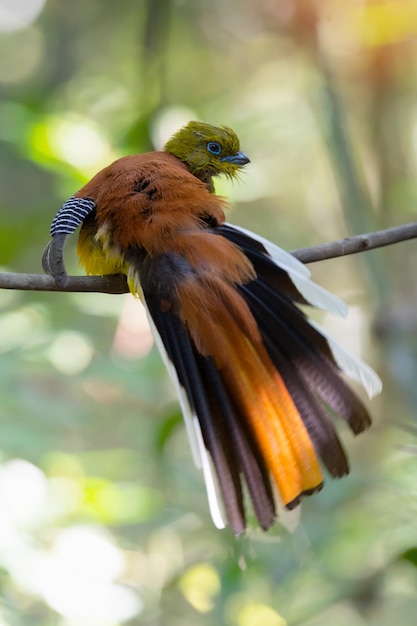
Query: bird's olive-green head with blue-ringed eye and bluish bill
[(208, 150)]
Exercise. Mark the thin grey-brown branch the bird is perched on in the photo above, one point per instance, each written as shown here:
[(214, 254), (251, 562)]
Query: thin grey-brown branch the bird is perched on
[(117, 284)]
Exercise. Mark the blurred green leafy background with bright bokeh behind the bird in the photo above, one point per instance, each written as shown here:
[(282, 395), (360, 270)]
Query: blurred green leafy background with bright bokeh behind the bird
[(103, 517)]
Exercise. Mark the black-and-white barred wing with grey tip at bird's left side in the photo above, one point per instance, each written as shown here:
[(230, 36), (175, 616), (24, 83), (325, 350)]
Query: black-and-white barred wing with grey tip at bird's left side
[(72, 213)]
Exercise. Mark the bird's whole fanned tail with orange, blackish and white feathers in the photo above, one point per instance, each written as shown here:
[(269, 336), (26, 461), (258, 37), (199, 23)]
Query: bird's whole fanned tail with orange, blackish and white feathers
[(258, 382)]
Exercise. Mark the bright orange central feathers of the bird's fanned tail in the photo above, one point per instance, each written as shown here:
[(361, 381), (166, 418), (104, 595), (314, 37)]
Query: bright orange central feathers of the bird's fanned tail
[(257, 390)]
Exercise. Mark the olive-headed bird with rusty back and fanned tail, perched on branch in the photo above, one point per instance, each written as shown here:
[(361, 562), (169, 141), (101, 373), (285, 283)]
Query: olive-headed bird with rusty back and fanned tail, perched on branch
[(258, 383)]
